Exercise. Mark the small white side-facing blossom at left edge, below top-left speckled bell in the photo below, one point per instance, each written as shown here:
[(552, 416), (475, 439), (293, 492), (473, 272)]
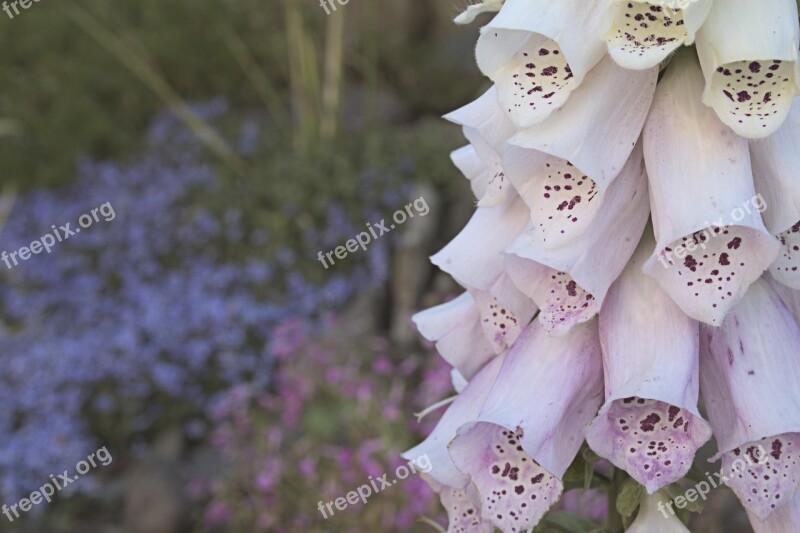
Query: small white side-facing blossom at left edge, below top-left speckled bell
[(487, 129)]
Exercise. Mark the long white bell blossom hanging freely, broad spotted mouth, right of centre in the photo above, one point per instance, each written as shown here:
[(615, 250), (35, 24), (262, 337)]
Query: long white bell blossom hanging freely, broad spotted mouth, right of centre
[(711, 241)]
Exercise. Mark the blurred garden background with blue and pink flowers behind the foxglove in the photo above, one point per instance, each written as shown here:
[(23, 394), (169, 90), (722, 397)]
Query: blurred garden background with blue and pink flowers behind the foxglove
[(234, 380)]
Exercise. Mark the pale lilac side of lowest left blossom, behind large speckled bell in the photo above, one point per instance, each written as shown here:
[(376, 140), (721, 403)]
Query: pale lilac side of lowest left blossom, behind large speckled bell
[(464, 409)]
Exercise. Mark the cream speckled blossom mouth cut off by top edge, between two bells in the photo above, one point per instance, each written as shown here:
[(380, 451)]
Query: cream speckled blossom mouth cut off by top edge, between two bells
[(645, 32)]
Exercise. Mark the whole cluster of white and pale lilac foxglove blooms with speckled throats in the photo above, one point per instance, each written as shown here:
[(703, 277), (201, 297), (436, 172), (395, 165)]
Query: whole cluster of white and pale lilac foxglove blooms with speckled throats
[(632, 194)]
